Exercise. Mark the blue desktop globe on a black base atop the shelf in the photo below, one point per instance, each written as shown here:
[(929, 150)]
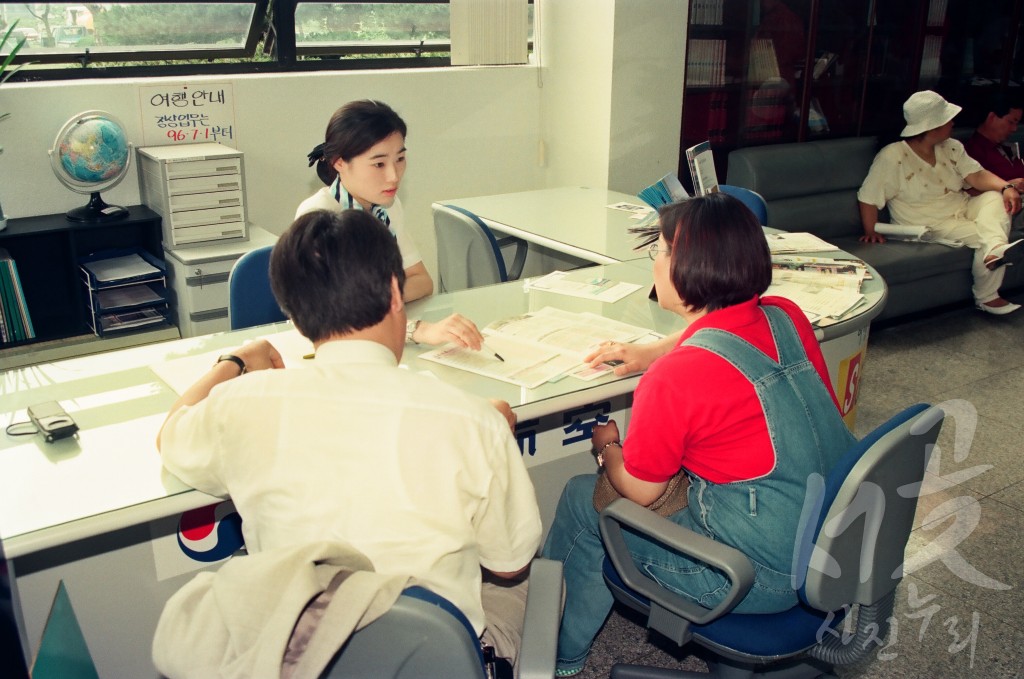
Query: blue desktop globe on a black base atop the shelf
[(91, 155)]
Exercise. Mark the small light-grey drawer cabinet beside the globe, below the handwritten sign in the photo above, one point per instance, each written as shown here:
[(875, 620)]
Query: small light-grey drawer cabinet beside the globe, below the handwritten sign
[(199, 190)]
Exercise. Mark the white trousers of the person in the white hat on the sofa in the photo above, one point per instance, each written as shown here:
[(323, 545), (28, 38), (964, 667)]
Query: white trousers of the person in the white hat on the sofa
[(984, 226)]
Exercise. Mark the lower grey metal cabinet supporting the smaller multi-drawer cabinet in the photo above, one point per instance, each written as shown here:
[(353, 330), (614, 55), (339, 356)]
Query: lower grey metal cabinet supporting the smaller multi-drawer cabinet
[(198, 279)]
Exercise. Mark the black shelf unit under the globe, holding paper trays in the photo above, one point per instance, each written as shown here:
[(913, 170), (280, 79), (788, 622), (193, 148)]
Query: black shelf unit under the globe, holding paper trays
[(49, 249)]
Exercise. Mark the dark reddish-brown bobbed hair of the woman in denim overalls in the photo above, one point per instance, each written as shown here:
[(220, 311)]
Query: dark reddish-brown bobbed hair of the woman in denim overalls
[(719, 256)]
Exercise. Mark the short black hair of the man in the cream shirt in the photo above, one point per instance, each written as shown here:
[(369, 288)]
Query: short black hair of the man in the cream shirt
[(331, 273)]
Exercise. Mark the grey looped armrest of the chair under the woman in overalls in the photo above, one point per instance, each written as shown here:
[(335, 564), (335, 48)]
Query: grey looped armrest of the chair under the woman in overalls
[(735, 564)]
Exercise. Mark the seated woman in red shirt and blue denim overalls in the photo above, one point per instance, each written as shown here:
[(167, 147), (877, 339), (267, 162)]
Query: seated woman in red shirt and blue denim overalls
[(741, 403)]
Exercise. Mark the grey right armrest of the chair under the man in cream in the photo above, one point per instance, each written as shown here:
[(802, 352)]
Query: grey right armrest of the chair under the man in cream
[(544, 615)]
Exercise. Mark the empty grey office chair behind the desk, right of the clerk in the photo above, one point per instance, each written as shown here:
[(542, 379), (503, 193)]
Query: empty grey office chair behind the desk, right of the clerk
[(468, 253)]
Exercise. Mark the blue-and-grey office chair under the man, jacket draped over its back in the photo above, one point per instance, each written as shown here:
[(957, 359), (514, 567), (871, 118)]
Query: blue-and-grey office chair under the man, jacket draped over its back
[(424, 635)]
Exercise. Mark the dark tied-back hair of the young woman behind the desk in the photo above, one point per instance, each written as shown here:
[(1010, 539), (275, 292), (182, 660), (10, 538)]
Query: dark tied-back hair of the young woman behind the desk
[(353, 131)]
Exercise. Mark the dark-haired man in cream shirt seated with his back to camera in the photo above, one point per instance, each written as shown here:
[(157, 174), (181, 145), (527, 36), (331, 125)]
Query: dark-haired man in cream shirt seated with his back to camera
[(424, 480)]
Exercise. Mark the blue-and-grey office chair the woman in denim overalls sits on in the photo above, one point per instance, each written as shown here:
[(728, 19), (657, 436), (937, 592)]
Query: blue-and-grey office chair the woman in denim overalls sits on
[(857, 524)]
